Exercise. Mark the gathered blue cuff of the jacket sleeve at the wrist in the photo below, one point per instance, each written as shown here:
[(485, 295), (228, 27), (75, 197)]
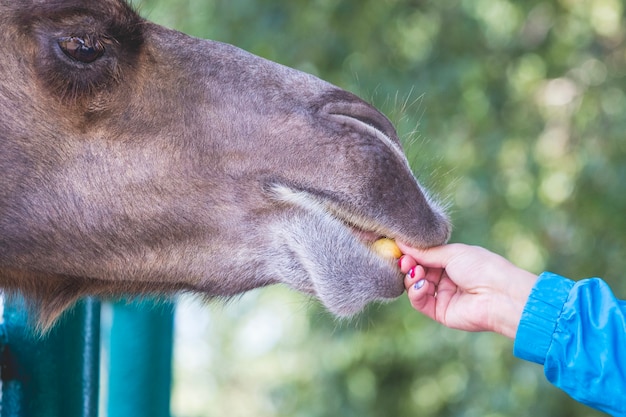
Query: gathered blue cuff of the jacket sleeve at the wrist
[(540, 315)]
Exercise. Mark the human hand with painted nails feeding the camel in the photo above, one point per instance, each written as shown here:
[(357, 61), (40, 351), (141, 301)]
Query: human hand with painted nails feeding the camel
[(466, 287)]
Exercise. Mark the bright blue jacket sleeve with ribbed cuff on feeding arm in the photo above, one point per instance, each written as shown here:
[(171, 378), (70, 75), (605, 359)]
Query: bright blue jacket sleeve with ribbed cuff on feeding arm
[(577, 330)]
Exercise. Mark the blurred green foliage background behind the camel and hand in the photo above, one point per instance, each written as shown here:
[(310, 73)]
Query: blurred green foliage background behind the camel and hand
[(513, 113)]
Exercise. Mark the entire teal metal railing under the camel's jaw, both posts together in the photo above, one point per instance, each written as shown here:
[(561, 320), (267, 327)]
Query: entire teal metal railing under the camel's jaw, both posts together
[(57, 375)]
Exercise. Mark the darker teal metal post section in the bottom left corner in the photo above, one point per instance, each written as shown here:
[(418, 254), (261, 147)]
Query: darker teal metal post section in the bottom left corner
[(56, 375)]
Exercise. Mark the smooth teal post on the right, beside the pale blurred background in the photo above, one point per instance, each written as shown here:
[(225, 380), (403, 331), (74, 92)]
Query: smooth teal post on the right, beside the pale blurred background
[(140, 366)]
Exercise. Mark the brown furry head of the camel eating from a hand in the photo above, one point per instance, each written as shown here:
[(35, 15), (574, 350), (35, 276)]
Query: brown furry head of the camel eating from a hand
[(172, 163)]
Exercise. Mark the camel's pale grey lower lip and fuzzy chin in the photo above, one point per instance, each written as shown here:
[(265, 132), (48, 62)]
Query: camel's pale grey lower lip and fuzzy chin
[(330, 252)]
